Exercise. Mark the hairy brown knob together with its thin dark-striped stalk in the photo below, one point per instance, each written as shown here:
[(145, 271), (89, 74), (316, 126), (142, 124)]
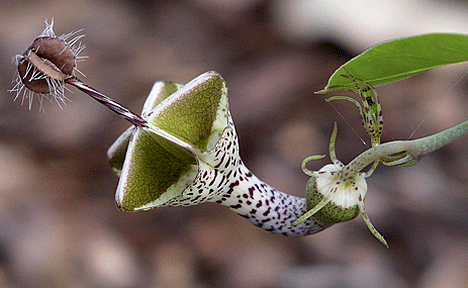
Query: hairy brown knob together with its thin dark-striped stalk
[(49, 63)]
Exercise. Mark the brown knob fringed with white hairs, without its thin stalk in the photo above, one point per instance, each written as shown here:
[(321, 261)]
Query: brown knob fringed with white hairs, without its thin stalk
[(46, 64)]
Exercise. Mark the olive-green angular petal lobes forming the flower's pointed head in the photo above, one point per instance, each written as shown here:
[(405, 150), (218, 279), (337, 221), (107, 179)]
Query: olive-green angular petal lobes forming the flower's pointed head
[(155, 170)]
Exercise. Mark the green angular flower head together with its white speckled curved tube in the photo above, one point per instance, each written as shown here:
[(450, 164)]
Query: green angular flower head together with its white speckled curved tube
[(198, 161)]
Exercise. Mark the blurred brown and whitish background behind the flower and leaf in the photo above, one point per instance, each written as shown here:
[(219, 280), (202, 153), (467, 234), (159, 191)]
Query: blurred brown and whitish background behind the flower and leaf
[(59, 226)]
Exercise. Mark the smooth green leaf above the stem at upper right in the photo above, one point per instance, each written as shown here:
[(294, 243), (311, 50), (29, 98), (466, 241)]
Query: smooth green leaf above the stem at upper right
[(398, 59)]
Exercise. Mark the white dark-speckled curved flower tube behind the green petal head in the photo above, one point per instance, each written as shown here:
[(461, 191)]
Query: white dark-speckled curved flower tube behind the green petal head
[(224, 179)]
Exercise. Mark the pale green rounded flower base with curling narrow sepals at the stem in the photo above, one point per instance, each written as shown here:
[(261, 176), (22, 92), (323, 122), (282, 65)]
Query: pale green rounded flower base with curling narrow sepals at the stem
[(336, 192)]
